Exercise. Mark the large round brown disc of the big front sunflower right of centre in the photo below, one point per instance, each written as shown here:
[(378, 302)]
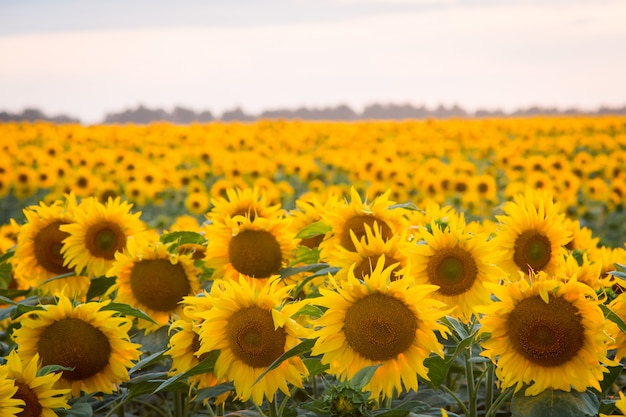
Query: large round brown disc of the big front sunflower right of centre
[(379, 327)]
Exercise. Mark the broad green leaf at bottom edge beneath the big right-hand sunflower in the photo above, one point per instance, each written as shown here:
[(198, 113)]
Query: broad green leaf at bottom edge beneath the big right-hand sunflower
[(553, 403)]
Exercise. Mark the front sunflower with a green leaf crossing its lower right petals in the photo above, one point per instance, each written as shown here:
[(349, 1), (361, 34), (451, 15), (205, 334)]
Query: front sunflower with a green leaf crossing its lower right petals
[(251, 328)]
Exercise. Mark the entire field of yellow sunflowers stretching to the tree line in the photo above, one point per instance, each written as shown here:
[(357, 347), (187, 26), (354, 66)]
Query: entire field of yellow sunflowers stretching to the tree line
[(302, 269)]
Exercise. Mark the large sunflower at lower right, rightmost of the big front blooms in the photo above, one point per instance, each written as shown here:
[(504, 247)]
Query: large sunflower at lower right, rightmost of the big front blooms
[(546, 335)]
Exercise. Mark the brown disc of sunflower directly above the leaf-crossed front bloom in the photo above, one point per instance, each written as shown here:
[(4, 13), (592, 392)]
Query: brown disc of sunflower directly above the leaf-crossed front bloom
[(255, 253)]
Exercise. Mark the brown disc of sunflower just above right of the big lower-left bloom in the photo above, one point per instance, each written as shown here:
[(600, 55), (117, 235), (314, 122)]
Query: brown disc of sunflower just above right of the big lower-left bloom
[(158, 284)]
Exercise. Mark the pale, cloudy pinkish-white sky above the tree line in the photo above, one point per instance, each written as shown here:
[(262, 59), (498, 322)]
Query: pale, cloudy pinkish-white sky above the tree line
[(88, 58)]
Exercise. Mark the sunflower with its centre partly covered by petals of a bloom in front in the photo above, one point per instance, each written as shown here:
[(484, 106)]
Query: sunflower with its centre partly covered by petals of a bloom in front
[(346, 217)]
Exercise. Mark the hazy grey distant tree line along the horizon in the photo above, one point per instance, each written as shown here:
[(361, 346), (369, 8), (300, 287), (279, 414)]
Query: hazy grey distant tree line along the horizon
[(180, 115)]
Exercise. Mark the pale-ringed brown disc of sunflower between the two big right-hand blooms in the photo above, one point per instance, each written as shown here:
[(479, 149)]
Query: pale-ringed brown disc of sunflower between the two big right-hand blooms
[(454, 270)]
